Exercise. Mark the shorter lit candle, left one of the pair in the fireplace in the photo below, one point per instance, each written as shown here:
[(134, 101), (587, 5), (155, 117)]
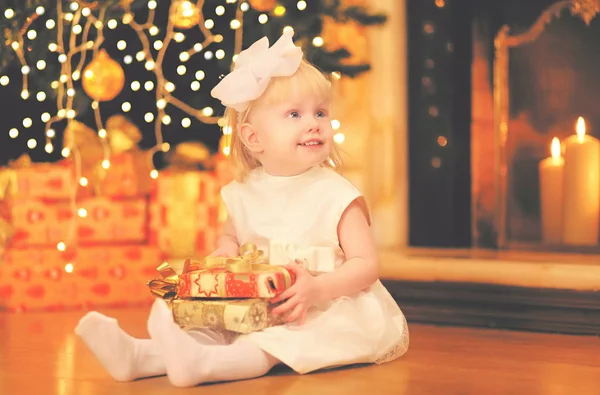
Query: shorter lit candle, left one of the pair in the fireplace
[(551, 195)]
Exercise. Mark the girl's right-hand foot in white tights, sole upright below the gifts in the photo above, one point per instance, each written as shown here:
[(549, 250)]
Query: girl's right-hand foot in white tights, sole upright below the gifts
[(182, 354)]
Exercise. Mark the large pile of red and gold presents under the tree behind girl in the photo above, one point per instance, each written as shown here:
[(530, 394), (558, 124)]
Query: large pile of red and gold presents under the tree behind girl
[(100, 248)]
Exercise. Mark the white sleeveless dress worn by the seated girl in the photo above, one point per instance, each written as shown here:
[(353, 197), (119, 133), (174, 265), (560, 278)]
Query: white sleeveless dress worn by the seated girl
[(297, 218)]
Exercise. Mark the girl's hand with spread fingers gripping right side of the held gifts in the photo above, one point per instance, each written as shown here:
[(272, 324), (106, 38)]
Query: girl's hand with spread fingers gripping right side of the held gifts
[(300, 296)]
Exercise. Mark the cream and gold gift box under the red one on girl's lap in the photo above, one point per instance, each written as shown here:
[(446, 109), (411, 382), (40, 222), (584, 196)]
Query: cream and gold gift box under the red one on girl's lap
[(234, 315)]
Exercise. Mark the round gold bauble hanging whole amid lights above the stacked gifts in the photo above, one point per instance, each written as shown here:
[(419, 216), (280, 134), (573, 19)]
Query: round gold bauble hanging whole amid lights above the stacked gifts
[(104, 78)]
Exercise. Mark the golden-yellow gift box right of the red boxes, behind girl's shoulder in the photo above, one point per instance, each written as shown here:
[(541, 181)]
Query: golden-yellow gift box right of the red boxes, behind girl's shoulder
[(184, 213)]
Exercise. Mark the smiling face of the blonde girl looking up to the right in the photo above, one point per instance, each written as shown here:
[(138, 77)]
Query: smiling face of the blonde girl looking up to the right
[(294, 135)]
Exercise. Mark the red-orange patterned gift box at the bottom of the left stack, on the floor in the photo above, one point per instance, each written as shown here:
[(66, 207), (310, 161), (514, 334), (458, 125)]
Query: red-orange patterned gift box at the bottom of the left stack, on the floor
[(88, 277)]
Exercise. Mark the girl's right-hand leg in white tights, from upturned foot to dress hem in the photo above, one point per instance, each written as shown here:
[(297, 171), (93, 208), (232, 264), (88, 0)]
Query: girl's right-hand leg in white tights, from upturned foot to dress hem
[(189, 363)]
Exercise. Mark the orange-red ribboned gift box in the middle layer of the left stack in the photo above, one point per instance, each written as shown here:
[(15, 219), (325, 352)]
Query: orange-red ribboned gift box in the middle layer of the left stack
[(97, 221)]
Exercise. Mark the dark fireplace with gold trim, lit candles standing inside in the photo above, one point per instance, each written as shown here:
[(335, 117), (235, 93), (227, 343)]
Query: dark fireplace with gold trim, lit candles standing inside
[(492, 85)]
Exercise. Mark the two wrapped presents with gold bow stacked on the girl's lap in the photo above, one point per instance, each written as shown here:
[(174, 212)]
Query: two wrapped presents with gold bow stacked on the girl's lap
[(228, 295)]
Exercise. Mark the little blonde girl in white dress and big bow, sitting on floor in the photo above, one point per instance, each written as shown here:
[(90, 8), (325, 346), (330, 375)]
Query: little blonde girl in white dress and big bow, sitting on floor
[(288, 201)]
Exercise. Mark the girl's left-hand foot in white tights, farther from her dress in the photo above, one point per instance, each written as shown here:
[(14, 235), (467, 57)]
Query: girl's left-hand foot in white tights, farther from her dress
[(124, 357)]
